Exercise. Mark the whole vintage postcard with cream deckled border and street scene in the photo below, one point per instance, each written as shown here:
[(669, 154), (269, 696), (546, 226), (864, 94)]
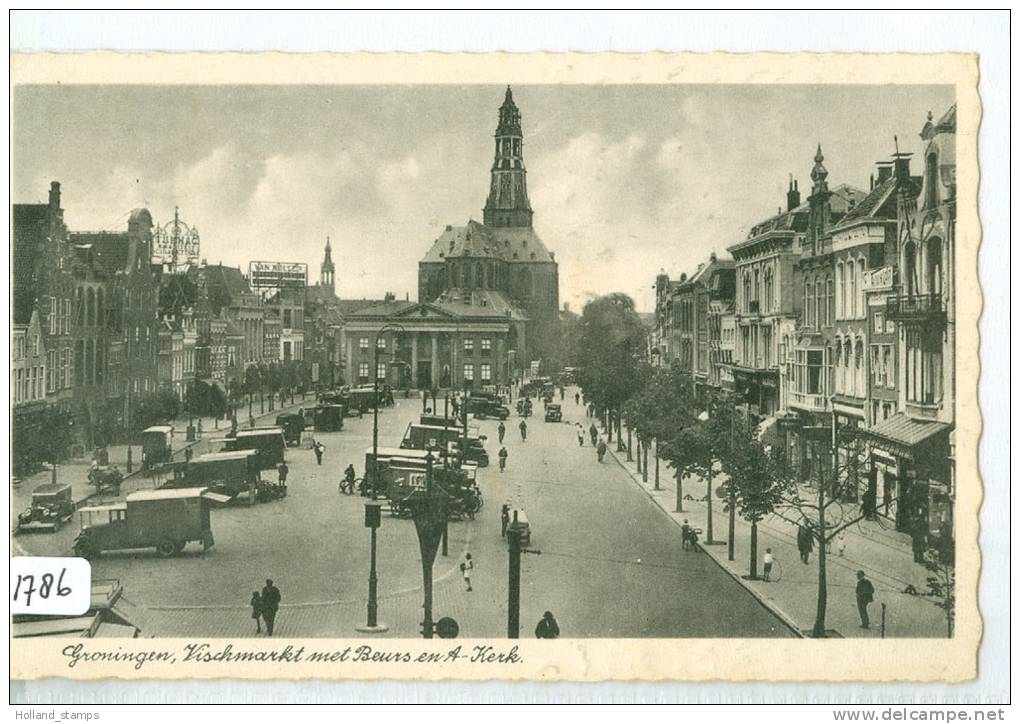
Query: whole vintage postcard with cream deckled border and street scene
[(543, 367)]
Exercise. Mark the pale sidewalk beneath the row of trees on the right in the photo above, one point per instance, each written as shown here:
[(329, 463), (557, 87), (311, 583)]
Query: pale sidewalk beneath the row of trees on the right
[(884, 555)]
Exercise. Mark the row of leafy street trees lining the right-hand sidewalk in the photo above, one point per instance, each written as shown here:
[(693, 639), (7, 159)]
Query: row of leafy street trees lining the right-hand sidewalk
[(707, 438)]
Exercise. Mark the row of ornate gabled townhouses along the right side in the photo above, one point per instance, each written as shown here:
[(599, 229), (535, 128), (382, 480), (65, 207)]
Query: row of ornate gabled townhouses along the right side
[(834, 323)]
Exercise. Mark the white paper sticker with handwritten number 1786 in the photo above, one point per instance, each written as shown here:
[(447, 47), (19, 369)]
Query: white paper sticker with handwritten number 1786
[(50, 587)]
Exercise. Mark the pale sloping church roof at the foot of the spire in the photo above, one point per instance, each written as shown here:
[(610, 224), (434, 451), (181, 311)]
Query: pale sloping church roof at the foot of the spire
[(476, 240)]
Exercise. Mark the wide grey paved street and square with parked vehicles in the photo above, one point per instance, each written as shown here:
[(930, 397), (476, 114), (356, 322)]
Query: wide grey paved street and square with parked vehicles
[(610, 565)]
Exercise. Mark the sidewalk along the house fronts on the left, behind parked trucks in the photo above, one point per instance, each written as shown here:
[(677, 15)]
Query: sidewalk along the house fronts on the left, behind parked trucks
[(76, 472)]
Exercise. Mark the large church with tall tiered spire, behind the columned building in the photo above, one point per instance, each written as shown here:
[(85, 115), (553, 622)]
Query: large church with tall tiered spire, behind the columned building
[(501, 264)]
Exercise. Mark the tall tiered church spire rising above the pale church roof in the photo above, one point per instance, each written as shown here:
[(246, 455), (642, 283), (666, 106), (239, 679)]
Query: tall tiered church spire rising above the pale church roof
[(507, 204)]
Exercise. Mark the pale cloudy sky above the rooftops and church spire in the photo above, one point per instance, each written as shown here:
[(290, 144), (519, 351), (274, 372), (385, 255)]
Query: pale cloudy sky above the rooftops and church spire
[(624, 180)]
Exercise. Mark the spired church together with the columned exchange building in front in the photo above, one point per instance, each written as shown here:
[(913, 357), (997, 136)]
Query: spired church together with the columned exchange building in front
[(488, 294)]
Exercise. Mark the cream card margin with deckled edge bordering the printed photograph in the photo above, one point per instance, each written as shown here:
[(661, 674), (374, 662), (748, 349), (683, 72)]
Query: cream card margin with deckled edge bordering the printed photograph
[(593, 660)]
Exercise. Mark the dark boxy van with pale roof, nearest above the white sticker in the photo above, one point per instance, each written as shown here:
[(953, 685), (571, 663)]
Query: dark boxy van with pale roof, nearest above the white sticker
[(166, 520)]
